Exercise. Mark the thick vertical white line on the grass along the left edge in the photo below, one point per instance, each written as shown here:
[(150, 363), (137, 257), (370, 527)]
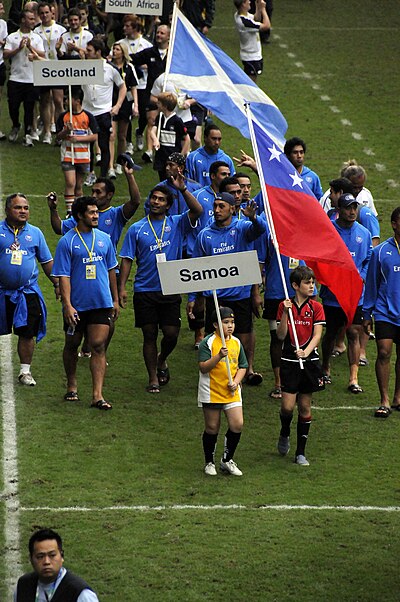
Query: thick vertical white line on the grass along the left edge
[(12, 556)]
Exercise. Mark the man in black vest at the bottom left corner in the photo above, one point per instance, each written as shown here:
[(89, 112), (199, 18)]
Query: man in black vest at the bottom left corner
[(50, 580)]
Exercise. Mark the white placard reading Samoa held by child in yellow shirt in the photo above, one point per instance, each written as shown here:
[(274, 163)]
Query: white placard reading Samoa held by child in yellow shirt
[(209, 273)]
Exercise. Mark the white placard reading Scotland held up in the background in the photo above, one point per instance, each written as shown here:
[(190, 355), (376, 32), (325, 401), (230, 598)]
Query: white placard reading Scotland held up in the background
[(68, 73)]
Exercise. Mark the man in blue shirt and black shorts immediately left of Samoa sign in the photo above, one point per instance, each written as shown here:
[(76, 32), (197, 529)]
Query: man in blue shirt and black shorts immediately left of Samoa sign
[(155, 238)]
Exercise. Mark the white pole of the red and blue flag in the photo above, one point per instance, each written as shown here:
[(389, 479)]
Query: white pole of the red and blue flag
[(271, 224)]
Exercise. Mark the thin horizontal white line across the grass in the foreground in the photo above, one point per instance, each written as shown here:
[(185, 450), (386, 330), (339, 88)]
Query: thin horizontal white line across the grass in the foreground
[(278, 507)]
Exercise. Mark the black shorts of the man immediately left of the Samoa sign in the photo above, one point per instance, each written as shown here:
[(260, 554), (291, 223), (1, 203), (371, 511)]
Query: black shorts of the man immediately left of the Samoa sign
[(156, 308)]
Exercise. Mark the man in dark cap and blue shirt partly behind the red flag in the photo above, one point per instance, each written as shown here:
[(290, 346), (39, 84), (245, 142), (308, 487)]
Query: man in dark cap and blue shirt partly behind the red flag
[(358, 240)]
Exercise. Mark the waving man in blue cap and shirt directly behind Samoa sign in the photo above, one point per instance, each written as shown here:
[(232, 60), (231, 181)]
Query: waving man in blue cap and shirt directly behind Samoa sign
[(228, 234)]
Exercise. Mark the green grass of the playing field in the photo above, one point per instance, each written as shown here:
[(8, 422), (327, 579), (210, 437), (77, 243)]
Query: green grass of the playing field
[(147, 451)]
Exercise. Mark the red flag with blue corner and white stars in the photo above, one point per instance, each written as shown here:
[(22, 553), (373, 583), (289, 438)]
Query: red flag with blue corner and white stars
[(303, 230)]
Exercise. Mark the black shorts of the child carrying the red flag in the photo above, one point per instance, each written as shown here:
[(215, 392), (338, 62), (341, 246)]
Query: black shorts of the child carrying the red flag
[(296, 380)]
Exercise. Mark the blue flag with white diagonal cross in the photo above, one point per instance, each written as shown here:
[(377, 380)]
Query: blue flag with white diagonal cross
[(202, 70)]
